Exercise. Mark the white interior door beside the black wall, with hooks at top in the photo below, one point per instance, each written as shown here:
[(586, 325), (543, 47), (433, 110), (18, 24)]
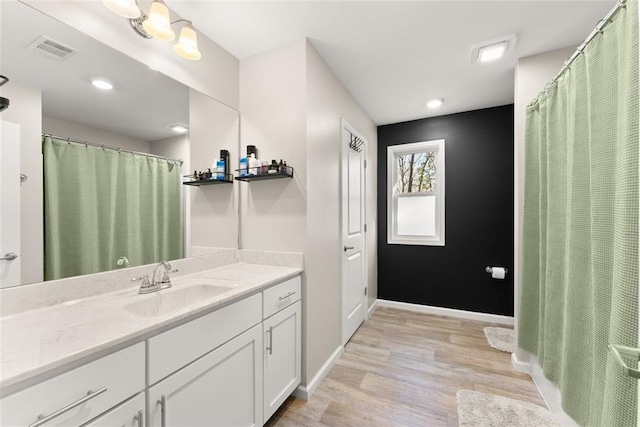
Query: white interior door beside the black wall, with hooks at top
[(354, 283)]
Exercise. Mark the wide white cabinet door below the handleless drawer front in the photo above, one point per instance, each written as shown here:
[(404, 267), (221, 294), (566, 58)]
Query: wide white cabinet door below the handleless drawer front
[(221, 389)]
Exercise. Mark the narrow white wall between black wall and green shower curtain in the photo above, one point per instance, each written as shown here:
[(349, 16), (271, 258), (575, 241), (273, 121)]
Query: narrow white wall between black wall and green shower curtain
[(532, 74)]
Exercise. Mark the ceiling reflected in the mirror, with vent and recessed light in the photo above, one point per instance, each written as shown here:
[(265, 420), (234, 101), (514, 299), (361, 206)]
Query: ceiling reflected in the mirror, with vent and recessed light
[(142, 105)]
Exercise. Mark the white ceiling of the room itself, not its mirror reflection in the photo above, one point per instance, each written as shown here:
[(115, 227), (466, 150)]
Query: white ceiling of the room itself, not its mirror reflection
[(394, 55)]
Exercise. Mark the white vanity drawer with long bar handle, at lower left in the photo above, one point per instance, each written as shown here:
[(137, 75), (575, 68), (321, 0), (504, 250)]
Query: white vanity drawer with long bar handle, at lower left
[(110, 380)]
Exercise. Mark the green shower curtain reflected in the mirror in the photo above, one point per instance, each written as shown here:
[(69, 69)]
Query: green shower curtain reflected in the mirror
[(100, 204)]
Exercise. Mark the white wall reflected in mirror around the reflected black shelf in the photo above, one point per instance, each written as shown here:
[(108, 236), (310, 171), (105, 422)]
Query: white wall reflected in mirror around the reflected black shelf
[(213, 211)]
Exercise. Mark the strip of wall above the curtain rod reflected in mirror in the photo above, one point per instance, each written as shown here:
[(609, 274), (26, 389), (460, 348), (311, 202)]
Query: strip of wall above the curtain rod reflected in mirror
[(72, 130)]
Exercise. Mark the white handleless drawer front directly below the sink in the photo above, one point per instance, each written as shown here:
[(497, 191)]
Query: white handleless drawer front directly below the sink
[(179, 346)]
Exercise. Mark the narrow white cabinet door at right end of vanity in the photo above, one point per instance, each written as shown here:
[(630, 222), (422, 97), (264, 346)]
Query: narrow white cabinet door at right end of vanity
[(282, 357)]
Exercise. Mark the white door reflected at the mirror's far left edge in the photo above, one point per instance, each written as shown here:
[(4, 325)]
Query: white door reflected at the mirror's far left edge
[(10, 206)]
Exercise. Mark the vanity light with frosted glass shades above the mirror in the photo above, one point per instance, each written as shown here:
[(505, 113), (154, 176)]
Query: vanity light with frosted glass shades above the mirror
[(158, 25)]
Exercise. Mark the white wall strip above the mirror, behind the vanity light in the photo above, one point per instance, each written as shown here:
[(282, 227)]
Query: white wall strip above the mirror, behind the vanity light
[(216, 74)]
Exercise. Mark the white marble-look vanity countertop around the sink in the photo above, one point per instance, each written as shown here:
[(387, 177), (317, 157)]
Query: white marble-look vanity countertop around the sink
[(39, 341)]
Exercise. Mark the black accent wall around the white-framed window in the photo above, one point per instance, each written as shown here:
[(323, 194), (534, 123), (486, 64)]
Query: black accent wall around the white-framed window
[(478, 216)]
